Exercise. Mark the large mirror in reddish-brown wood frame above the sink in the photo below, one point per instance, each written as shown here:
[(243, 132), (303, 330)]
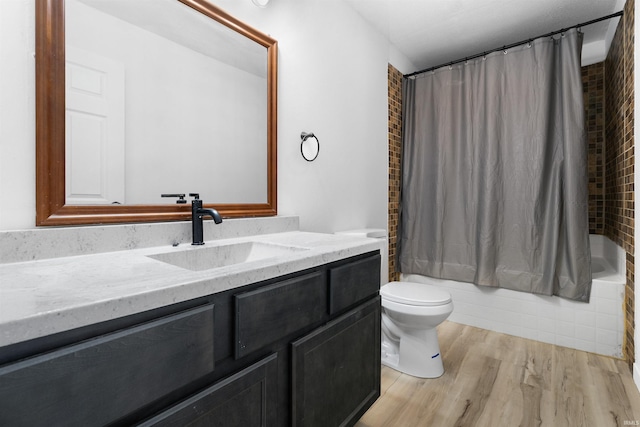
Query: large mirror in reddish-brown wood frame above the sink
[(54, 206)]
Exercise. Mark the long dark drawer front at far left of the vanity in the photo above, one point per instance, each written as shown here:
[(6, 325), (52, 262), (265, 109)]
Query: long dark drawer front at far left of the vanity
[(98, 381)]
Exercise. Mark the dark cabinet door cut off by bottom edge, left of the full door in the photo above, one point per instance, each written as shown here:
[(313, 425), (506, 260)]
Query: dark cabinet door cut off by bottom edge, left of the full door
[(248, 398)]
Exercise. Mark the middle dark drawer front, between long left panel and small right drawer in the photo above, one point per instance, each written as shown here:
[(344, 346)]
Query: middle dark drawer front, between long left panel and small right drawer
[(272, 312)]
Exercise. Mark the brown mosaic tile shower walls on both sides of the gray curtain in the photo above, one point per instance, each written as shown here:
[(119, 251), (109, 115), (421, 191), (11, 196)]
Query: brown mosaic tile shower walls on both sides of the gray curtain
[(611, 150)]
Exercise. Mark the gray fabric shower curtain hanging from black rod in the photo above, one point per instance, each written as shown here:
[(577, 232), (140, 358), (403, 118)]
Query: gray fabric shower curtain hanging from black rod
[(494, 188)]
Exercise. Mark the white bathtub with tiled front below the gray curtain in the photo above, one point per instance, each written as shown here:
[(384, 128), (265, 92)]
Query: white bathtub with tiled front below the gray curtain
[(596, 327)]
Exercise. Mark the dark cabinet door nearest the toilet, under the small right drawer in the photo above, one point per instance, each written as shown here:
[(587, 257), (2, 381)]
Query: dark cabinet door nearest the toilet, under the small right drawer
[(336, 369)]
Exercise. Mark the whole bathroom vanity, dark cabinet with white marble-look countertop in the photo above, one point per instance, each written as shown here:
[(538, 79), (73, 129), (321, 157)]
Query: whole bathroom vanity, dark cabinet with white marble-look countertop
[(290, 339)]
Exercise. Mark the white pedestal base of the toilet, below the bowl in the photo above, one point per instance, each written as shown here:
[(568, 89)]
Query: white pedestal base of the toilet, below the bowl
[(418, 354)]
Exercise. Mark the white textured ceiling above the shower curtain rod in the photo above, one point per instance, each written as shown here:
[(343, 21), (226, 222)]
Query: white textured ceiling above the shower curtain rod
[(433, 32)]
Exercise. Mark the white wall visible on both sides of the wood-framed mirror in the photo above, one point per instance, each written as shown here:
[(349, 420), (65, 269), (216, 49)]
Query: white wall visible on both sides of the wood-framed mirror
[(332, 81)]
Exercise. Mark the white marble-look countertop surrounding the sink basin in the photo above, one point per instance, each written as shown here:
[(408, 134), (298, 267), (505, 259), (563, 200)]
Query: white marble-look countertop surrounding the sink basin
[(47, 296)]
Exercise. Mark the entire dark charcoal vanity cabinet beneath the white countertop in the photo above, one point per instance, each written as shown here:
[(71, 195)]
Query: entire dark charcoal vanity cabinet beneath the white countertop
[(302, 349)]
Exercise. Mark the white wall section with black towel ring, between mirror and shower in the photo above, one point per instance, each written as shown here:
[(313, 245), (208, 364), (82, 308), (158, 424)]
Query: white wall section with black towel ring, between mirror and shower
[(333, 82)]
